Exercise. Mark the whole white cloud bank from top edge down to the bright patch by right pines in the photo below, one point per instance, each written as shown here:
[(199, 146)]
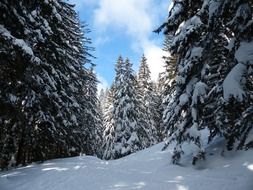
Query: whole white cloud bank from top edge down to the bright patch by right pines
[(136, 18)]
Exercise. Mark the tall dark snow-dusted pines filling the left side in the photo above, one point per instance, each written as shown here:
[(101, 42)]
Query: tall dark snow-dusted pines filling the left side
[(42, 76)]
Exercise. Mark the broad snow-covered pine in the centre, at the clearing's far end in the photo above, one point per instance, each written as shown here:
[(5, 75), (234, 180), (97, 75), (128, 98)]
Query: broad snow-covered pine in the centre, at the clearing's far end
[(124, 131)]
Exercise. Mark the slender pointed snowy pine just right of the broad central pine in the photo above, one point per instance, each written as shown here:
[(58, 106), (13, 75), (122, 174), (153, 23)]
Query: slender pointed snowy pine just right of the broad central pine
[(149, 99)]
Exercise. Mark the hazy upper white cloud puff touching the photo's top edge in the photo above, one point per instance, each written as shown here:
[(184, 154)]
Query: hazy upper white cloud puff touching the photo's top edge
[(129, 15)]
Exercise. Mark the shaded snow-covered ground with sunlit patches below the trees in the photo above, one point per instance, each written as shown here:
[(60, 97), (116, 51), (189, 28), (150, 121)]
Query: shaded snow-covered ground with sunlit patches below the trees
[(149, 169)]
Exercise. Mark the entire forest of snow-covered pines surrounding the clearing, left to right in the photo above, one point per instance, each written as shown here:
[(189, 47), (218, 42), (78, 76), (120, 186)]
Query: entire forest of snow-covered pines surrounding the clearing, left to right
[(50, 106)]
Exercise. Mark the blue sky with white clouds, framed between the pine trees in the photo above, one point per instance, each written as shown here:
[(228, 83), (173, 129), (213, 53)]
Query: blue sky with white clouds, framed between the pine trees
[(124, 27)]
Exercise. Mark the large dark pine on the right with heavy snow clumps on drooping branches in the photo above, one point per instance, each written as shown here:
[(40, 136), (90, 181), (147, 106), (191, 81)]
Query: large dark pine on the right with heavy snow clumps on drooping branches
[(199, 29)]
